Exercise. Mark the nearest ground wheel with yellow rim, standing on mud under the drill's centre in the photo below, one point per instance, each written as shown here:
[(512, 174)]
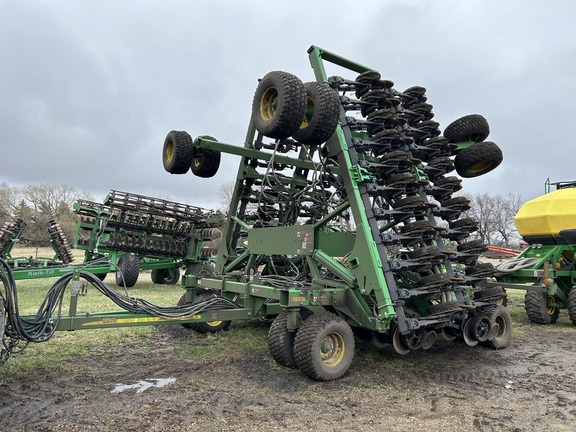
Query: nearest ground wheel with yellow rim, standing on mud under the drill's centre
[(324, 347)]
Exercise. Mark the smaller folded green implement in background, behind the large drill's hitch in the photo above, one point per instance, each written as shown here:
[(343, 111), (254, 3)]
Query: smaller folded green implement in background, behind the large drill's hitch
[(137, 232)]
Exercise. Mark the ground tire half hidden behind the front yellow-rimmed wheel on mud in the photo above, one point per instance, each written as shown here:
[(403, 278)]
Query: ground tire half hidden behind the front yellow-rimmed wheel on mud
[(281, 341)]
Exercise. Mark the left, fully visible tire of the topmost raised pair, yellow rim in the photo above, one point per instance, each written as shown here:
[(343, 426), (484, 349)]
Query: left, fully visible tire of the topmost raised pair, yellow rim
[(279, 104)]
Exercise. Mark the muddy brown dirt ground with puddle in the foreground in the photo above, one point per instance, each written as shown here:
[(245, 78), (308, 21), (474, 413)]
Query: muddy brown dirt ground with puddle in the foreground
[(530, 386)]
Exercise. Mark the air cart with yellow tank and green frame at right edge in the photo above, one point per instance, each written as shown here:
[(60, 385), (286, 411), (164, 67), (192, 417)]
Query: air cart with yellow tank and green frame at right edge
[(546, 267)]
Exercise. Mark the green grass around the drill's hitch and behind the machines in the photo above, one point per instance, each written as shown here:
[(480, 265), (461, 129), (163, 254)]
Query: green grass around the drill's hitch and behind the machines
[(67, 349)]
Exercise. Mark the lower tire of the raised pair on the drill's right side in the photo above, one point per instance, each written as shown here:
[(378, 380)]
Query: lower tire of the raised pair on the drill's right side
[(478, 159)]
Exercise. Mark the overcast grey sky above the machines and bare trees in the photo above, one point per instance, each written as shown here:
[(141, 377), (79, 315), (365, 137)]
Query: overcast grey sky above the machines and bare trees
[(89, 89)]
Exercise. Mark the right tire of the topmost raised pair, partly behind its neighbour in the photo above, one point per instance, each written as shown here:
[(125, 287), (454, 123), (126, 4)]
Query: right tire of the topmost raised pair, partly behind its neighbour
[(321, 115)]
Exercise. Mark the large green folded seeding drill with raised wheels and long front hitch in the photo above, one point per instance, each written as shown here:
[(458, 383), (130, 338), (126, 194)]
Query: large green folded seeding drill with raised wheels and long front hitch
[(343, 225)]
